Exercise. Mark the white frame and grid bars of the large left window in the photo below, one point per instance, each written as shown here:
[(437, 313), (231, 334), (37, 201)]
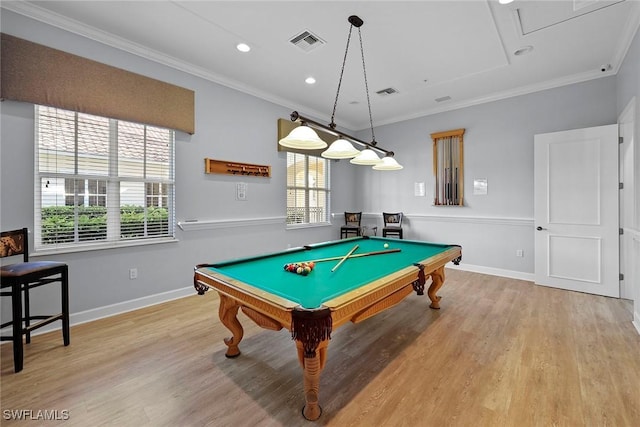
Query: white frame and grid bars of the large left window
[(114, 180)]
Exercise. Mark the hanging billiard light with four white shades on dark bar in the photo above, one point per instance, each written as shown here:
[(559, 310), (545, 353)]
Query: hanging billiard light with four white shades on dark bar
[(304, 137)]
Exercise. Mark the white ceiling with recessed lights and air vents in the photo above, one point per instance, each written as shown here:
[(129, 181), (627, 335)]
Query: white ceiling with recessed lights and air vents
[(426, 50)]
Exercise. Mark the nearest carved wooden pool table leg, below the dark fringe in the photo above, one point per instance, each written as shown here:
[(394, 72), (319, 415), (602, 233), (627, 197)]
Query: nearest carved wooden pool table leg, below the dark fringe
[(312, 367)]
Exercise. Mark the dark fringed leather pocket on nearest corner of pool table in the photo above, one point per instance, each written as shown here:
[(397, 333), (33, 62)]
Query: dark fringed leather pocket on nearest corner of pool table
[(311, 328)]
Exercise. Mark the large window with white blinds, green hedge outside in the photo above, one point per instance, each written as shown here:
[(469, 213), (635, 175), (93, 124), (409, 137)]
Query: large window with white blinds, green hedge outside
[(101, 181)]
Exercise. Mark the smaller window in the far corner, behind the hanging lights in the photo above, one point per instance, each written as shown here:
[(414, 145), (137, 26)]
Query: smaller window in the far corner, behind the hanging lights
[(307, 189)]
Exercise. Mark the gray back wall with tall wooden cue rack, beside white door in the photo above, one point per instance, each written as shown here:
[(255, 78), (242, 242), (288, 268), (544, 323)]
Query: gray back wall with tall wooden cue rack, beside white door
[(498, 146)]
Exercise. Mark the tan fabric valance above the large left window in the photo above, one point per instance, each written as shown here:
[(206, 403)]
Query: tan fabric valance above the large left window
[(41, 75)]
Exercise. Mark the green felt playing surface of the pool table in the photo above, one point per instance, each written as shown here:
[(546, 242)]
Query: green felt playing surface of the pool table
[(267, 272)]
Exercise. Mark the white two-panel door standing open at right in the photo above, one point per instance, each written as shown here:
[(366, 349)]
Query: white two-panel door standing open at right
[(576, 210)]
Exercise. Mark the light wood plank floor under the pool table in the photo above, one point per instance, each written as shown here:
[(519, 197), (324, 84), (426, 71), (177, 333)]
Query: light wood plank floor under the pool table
[(500, 352)]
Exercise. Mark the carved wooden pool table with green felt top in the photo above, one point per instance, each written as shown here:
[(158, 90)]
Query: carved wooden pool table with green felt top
[(378, 274)]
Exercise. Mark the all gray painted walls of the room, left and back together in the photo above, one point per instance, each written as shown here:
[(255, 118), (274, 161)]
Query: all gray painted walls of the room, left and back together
[(234, 126)]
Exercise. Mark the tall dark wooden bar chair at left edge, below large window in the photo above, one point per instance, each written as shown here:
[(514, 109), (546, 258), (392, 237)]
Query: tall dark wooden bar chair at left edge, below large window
[(20, 278)]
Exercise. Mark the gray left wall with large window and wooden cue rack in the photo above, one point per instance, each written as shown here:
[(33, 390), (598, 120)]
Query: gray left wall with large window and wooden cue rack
[(230, 125)]
